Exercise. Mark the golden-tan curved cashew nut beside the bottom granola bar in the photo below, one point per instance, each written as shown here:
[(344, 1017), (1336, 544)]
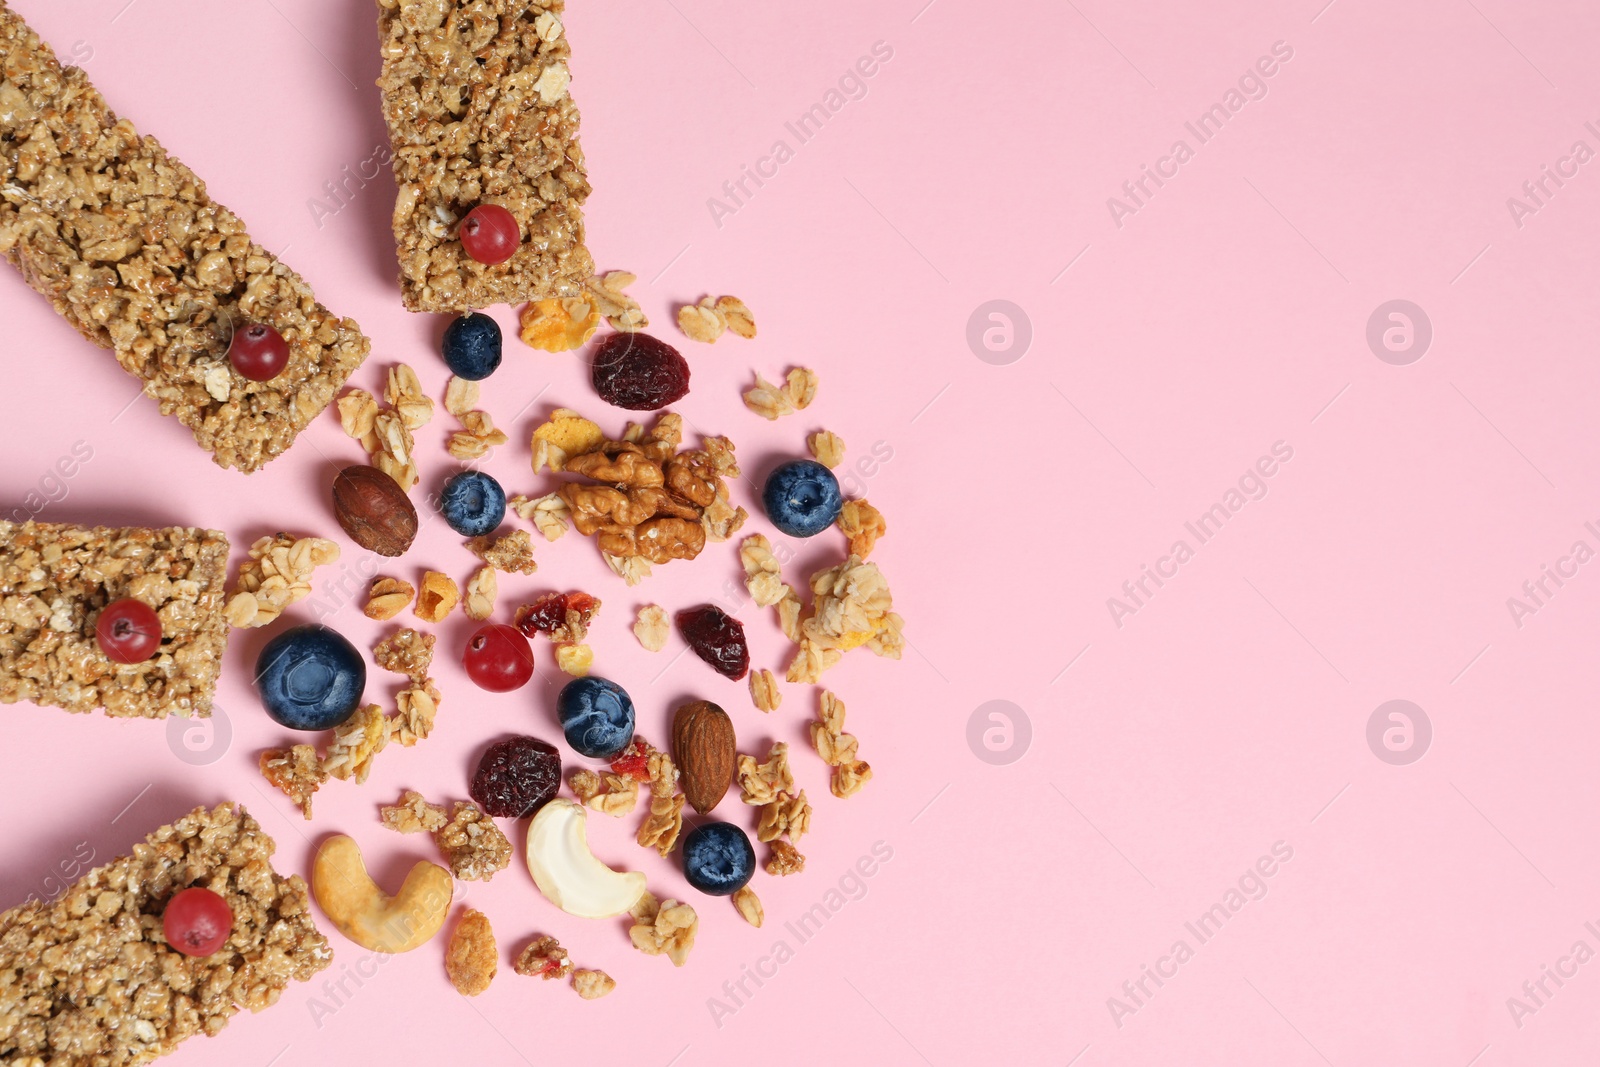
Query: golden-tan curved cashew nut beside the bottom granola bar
[(369, 916)]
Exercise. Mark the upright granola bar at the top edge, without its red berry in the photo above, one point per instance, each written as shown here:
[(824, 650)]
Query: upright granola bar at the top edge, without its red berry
[(479, 113)]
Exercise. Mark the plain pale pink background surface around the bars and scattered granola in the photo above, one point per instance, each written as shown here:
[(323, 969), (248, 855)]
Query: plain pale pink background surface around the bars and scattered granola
[(1167, 756)]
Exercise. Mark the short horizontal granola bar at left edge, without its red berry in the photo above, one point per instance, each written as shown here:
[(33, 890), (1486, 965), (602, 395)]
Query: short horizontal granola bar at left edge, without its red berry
[(57, 578)]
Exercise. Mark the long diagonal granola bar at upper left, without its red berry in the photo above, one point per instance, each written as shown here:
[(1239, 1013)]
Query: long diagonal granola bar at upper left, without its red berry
[(134, 254)]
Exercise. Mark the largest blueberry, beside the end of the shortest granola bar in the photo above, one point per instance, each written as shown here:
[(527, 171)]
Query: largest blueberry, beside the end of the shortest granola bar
[(310, 677)]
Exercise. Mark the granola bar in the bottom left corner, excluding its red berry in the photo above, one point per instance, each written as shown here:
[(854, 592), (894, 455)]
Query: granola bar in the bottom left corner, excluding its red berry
[(89, 980)]
